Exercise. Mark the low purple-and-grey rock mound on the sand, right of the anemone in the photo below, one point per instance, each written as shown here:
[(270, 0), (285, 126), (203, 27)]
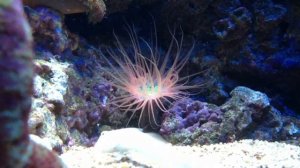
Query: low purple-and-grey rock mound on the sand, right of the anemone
[(246, 115)]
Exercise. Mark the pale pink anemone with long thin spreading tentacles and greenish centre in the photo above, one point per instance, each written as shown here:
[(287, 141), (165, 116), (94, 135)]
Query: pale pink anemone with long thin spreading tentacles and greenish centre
[(150, 84)]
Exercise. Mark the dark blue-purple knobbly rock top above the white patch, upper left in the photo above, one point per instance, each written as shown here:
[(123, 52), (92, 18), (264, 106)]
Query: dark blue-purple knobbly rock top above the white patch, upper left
[(49, 31)]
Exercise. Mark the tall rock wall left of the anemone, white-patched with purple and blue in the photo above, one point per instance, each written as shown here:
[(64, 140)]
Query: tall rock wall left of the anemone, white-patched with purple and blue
[(70, 99)]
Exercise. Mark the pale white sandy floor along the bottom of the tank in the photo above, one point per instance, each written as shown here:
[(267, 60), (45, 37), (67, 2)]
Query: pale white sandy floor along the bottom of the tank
[(245, 153)]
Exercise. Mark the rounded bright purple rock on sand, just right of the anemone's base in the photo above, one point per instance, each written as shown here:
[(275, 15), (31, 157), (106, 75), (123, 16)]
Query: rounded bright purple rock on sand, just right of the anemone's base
[(187, 120)]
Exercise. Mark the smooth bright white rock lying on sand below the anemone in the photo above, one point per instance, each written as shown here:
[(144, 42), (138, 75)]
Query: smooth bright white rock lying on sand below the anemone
[(148, 148)]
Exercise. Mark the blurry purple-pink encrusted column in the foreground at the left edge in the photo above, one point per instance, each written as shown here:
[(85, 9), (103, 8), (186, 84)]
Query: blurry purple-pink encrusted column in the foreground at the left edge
[(16, 73)]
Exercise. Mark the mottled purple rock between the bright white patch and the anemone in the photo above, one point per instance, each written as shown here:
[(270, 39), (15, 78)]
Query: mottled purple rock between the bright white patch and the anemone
[(87, 97)]
